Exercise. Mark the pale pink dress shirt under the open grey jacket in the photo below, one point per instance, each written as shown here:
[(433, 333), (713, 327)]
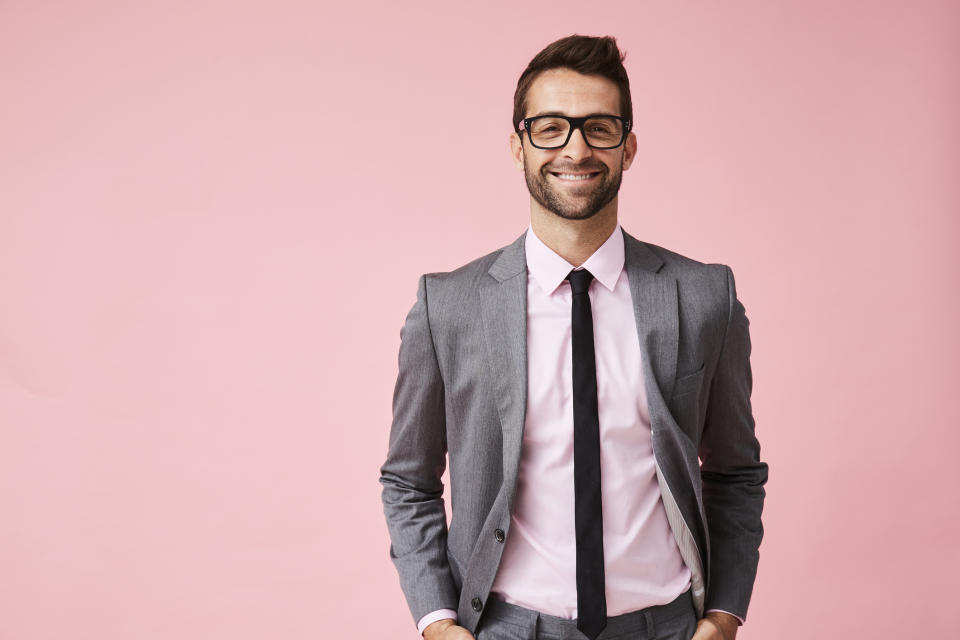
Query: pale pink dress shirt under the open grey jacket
[(642, 562)]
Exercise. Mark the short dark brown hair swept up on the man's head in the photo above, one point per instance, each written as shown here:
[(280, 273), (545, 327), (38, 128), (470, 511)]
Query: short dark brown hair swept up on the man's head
[(584, 54)]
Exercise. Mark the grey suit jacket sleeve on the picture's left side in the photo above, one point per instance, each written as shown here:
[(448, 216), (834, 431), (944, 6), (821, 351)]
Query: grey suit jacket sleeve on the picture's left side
[(412, 491)]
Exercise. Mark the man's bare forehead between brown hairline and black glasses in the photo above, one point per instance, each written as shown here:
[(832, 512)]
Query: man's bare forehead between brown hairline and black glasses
[(571, 93)]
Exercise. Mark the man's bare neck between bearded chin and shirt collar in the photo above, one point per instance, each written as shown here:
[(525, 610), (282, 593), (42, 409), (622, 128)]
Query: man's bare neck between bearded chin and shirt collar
[(573, 240)]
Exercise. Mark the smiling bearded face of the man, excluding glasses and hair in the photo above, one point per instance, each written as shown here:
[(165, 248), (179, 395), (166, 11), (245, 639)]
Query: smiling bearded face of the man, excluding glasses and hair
[(574, 181)]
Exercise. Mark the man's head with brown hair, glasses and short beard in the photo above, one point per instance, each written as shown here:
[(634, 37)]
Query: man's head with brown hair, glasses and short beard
[(576, 76)]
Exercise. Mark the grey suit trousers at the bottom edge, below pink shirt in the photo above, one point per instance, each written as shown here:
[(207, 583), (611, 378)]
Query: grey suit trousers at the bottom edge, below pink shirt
[(504, 621)]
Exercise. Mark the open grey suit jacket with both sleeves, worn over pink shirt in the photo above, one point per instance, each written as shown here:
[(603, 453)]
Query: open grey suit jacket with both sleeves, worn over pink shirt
[(462, 391)]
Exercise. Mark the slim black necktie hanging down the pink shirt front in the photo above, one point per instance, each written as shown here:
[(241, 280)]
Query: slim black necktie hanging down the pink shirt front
[(591, 599)]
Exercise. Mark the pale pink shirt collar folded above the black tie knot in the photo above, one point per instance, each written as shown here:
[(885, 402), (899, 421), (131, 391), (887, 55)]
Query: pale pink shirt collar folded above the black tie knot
[(549, 269)]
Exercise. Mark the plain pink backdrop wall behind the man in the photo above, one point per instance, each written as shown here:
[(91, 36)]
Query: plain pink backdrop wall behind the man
[(213, 216)]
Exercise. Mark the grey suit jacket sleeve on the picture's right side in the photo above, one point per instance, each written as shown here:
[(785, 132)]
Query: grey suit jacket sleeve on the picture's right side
[(733, 475)]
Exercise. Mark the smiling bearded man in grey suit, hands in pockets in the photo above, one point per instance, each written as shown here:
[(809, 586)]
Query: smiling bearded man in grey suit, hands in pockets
[(592, 392)]
